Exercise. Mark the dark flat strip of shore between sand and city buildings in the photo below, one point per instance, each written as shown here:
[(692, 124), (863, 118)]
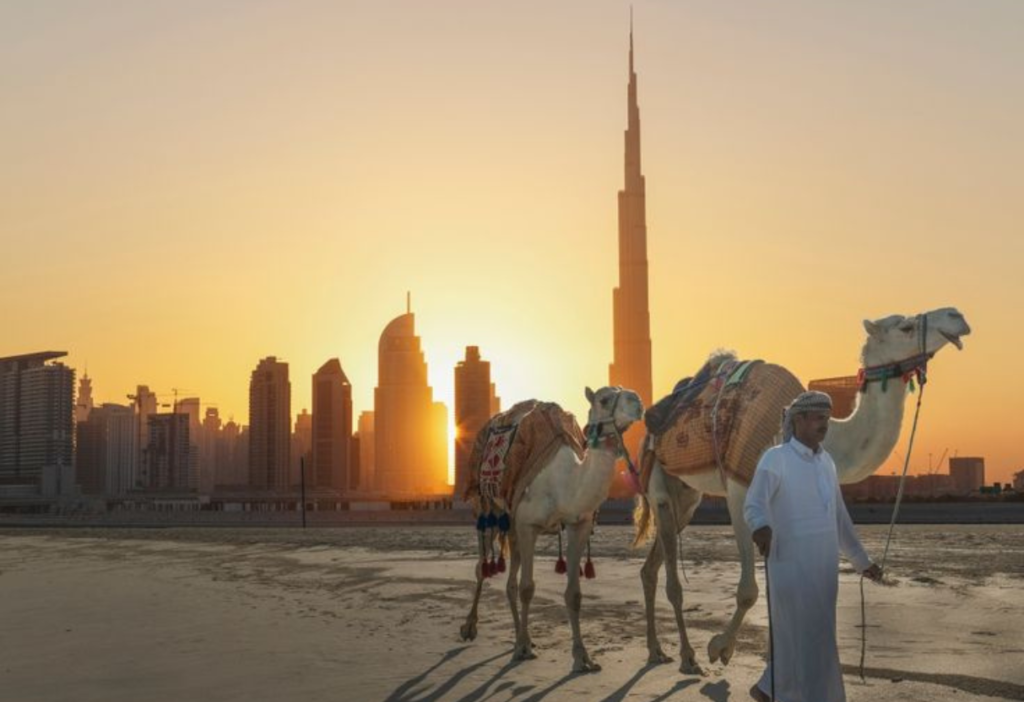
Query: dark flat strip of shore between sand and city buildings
[(709, 514)]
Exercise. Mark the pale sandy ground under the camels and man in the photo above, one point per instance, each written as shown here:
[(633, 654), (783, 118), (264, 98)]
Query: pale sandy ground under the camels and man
[(374, 615)]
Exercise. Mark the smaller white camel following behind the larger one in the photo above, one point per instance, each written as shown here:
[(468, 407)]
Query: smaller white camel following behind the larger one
[(566, 492)]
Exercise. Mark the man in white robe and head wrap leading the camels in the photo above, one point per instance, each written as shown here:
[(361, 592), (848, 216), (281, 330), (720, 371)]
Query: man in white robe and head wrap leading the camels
[(800, 523)]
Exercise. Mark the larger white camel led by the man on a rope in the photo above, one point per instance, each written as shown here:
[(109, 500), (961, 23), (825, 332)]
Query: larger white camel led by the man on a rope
[(897, 346)]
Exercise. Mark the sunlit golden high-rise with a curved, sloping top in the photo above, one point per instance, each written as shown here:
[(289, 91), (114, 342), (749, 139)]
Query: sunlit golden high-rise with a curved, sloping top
[(411, 456)]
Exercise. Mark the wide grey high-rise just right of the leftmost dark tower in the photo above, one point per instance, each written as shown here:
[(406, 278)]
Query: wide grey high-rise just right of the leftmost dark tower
[(105, 452)]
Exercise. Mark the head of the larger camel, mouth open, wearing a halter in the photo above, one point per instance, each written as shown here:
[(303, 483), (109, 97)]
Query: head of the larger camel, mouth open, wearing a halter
[(897, 338)]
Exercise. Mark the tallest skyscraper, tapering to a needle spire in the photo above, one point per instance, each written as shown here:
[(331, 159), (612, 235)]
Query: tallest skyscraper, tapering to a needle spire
[(631, 318)]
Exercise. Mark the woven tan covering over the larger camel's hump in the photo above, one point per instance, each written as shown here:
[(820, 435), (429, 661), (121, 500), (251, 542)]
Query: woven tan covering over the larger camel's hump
[(732, 422)]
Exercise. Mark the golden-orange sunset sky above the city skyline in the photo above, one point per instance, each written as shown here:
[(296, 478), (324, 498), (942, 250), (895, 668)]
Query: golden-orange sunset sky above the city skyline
[(189, 187)]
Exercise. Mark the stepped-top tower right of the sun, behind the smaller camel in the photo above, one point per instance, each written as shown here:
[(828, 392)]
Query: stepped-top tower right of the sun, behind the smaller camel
[(476, 403)]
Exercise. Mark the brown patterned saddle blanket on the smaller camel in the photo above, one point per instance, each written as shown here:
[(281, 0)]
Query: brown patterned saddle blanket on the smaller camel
[(513, 448)]
